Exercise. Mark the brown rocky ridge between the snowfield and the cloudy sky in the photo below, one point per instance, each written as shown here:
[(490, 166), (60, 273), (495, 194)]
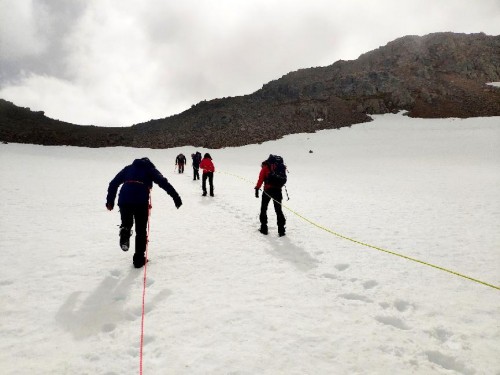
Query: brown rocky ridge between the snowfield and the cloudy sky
[(437, 75)]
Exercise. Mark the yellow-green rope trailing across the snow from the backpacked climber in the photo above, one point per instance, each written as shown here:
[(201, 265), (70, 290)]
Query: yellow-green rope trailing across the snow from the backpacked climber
[(375, 247)]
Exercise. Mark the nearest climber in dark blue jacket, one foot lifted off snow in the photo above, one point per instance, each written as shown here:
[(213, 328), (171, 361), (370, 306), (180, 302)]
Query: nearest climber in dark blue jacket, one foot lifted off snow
[(137, 179)]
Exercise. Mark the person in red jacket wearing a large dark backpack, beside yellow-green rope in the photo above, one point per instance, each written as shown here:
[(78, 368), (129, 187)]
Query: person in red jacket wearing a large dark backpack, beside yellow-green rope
[(273, 176)]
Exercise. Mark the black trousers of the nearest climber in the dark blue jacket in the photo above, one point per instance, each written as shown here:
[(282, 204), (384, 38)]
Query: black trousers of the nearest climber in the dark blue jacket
[(138, 213)]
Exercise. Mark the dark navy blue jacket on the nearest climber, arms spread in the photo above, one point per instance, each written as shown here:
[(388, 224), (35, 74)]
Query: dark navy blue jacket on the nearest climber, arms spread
[(137, 179)]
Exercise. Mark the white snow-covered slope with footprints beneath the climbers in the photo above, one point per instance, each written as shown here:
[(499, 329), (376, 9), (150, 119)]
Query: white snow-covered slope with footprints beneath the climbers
[(223, 299)]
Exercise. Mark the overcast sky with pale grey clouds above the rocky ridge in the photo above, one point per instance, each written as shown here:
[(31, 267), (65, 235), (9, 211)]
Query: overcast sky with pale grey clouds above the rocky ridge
[(121, 62)]
